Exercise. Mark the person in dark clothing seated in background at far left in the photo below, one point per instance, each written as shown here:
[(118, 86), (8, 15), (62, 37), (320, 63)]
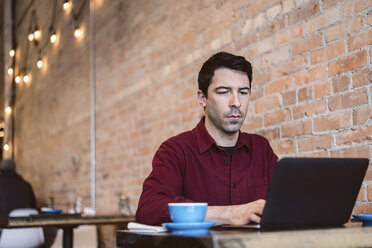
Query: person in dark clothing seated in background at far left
[(14, 191)]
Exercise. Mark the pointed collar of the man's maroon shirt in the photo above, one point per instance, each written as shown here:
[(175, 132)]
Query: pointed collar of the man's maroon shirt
[(205, 141)]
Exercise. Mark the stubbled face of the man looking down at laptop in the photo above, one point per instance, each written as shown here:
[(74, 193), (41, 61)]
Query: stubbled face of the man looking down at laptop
[(227, 103)]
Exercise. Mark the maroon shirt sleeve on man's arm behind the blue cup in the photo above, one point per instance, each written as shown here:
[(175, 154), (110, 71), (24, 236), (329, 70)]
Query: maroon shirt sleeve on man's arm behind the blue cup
[(162, 186)]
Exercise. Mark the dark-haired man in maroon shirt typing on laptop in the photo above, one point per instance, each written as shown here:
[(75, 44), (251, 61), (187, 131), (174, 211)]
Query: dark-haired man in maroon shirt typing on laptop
[(215, 162)]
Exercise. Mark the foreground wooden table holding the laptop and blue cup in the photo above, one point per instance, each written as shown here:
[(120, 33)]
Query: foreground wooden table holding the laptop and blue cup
[(350, 236)]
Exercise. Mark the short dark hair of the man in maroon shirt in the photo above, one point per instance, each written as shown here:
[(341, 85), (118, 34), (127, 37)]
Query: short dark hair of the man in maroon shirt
[(222, 60)]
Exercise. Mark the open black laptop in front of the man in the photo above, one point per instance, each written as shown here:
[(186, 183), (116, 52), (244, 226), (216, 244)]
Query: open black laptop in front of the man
[(313, 192)]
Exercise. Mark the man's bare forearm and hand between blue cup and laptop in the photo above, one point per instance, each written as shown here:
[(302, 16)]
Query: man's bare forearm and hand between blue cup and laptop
[(236, 214)]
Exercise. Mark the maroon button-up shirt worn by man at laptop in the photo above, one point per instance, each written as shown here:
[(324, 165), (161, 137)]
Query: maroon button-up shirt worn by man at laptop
[(190, 167)]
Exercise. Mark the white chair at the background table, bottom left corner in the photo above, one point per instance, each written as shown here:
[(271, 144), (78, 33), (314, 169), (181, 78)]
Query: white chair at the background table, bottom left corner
[(22, 237)]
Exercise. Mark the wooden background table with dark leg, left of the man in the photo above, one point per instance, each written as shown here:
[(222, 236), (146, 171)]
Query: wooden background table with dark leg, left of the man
[(67, 222)]
